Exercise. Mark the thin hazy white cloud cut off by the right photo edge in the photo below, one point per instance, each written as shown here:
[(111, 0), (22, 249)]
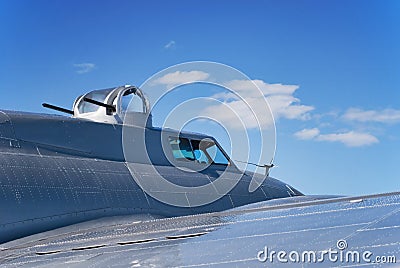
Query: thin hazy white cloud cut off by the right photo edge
[(382, 116)]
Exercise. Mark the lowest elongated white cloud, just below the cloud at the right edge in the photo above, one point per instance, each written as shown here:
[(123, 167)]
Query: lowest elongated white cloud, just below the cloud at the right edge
[(350, 139)]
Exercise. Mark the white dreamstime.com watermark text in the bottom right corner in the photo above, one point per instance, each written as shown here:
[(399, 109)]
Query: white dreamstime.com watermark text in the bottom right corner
[(339, 255)]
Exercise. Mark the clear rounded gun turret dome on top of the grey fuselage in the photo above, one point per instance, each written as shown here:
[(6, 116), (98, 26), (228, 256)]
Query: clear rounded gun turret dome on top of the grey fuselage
[(111, 105)]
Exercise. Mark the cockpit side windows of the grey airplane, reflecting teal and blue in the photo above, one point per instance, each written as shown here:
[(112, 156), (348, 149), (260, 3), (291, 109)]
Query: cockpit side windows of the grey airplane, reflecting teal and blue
[(201, 151)]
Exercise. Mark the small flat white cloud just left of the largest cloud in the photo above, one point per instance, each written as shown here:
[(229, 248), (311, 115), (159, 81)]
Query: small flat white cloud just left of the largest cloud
[(178, 77)]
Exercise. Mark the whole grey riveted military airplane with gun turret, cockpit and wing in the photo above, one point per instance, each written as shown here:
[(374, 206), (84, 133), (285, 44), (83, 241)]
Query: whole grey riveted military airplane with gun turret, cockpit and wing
[(70, 197)]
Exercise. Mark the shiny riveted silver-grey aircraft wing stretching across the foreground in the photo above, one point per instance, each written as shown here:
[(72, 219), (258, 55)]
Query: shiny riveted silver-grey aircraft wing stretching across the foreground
[(242, 237)]
